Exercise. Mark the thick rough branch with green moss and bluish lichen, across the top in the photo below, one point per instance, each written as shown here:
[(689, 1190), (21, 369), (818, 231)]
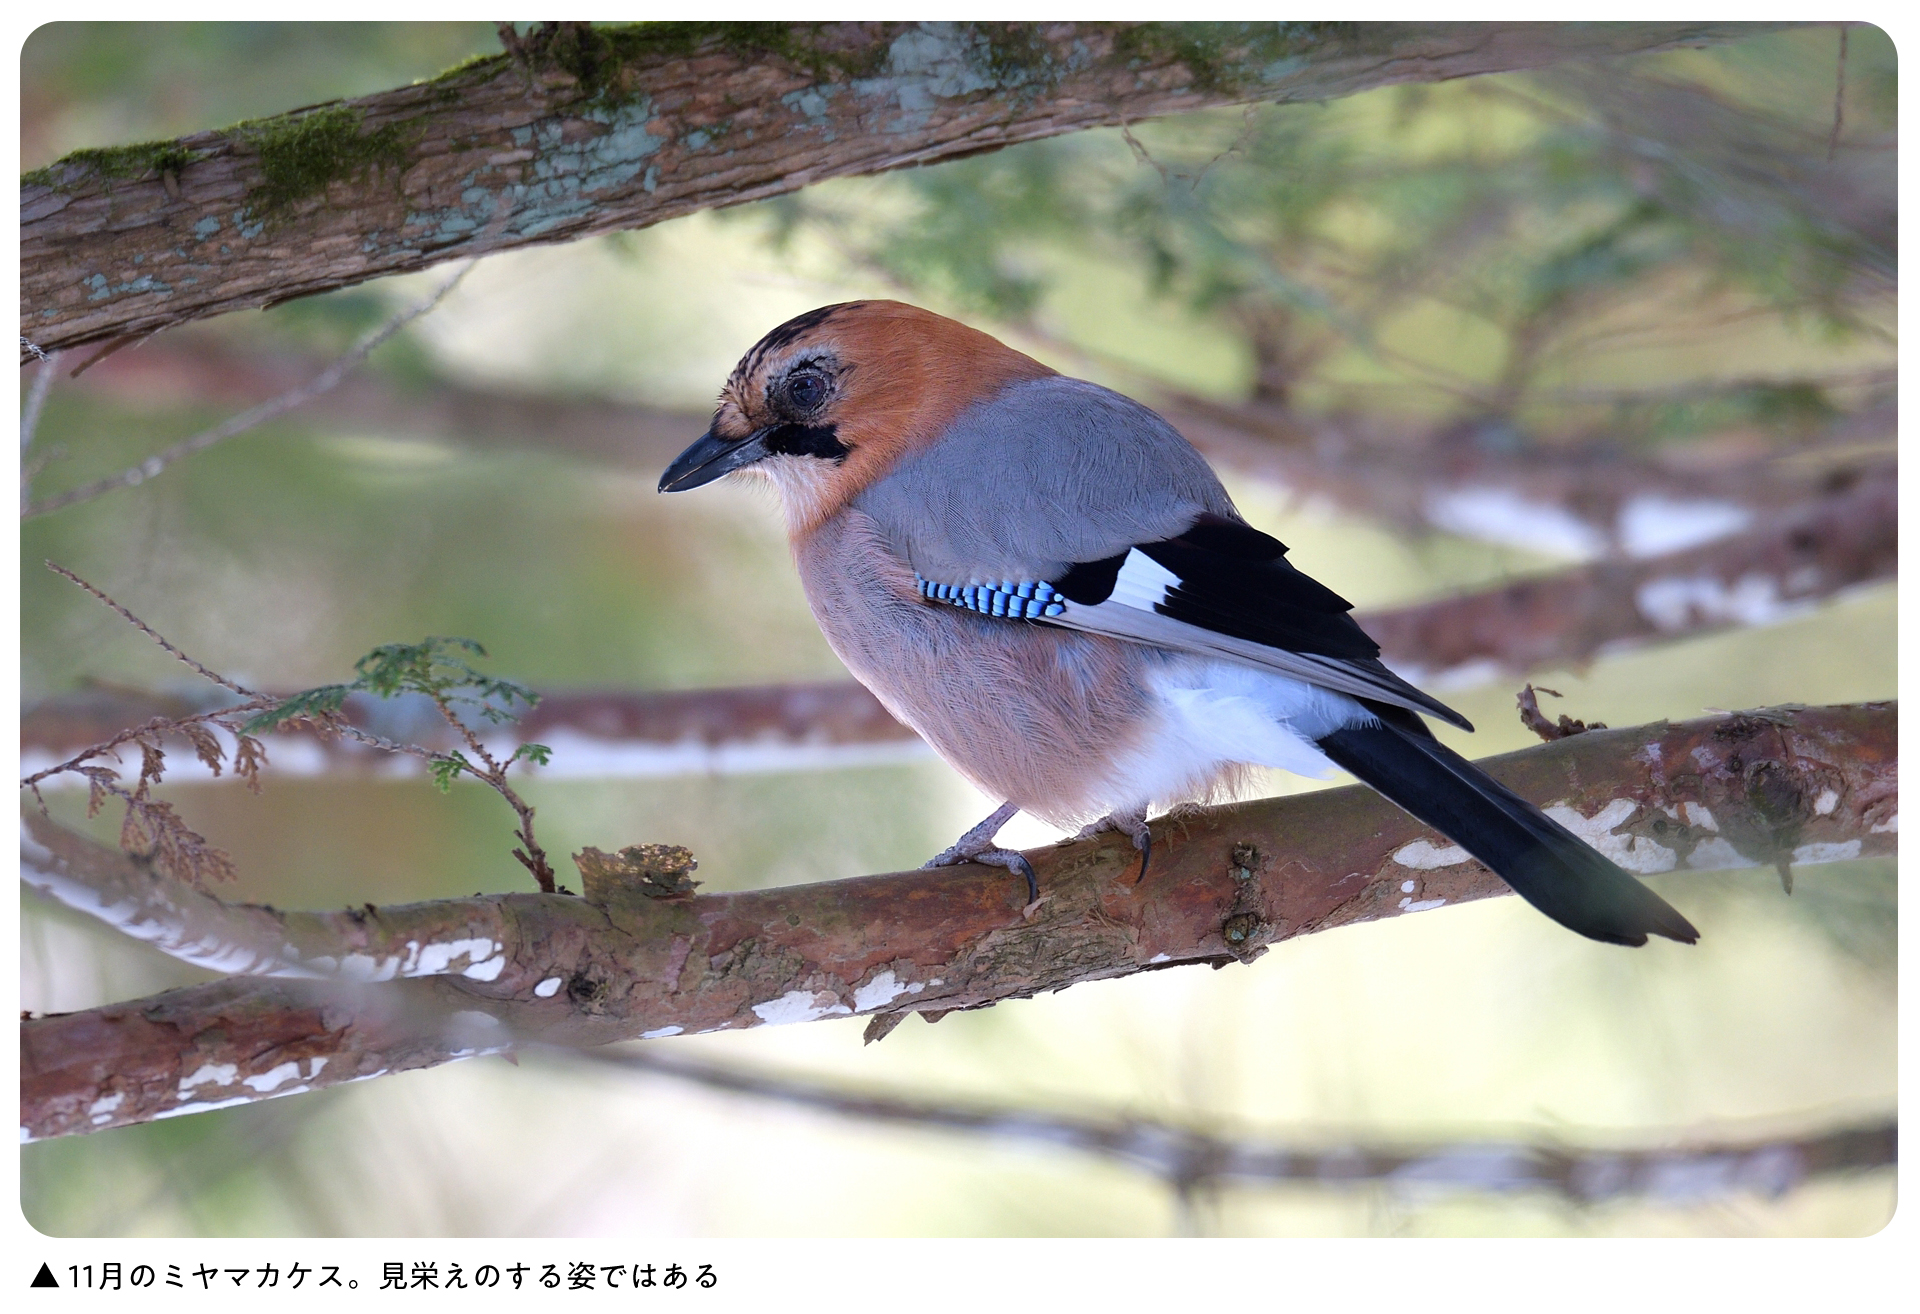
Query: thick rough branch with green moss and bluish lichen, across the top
[(625, 128)]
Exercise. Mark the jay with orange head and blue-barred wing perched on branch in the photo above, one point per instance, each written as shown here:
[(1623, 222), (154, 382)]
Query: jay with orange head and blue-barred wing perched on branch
[(1049, 585)]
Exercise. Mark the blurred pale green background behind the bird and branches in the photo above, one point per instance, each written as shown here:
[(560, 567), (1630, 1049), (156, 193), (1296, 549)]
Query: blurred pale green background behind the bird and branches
[(1673, 270)]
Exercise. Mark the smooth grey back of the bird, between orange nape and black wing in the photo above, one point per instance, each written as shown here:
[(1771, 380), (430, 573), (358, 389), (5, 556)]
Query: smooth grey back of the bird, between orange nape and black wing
[(1042, 475)]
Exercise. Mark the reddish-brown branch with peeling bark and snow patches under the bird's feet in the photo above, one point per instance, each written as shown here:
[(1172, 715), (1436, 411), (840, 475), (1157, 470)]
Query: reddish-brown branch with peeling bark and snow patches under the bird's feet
[(1750, 789)]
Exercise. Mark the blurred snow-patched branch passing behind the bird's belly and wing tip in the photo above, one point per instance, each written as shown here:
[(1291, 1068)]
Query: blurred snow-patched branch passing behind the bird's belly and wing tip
[(1790, 564)]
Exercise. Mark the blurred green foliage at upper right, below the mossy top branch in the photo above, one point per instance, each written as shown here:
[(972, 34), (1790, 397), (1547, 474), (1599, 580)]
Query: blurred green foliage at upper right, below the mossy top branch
[(1554, 220)]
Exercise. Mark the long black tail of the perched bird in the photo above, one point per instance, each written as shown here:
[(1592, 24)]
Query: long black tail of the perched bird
[(1543, 862)]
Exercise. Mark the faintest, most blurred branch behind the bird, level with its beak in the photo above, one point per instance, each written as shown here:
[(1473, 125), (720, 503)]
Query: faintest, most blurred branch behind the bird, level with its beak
[(1589, 502)]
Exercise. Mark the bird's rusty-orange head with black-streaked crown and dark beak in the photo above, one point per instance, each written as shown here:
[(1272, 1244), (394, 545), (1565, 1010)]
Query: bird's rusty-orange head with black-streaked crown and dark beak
[(830, 401)]
